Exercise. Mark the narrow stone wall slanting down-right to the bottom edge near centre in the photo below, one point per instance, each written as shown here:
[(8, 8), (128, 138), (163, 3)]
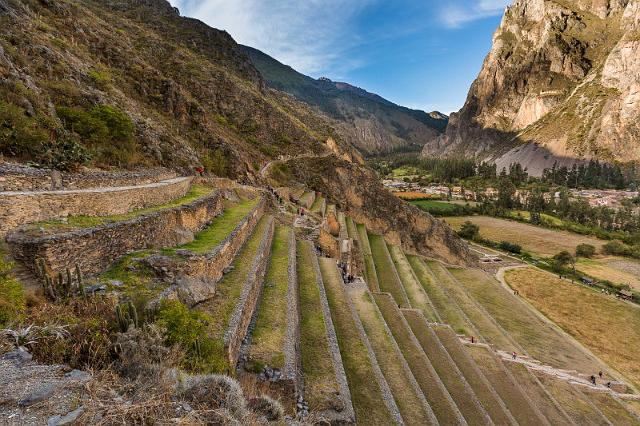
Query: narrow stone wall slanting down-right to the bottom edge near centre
[(348, 414)]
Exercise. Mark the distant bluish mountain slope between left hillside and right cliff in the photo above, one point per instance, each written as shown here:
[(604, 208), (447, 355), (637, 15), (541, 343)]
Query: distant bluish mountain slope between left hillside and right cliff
[(369, 121)]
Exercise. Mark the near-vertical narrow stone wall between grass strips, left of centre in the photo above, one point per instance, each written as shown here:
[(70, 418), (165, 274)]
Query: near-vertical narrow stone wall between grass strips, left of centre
[(292, 370)]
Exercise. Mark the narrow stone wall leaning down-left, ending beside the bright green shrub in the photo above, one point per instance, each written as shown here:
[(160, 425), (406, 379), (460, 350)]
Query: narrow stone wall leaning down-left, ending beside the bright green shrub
[(251, 290)]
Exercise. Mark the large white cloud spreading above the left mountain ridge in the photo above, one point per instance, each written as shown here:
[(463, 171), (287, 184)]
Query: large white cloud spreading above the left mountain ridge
[(311, 35)]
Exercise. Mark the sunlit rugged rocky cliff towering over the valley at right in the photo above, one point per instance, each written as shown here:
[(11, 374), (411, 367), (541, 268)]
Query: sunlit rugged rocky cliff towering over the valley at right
[(561, 84)]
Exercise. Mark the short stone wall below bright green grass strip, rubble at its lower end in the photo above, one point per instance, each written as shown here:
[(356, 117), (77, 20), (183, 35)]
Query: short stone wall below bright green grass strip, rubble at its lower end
[(210, 267)]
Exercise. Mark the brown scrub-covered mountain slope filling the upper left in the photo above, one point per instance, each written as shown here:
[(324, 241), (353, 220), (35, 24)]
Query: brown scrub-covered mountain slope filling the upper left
[(131, 83)]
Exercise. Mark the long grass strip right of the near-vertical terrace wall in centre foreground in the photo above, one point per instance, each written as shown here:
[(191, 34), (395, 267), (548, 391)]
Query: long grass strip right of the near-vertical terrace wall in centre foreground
[(317, 364)]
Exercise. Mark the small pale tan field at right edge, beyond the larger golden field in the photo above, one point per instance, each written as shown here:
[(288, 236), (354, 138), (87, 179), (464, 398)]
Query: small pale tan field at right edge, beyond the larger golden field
[(618, 270)]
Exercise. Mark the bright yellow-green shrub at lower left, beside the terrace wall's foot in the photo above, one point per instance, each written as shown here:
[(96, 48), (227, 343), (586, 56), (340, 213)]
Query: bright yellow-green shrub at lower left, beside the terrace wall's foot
[(187, 329)]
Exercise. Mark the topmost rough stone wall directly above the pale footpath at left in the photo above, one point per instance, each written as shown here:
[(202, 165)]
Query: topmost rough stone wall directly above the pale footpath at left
[(18, 177)]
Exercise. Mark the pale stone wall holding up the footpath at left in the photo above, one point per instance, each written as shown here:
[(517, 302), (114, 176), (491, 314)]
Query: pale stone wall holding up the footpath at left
[(18, 208)]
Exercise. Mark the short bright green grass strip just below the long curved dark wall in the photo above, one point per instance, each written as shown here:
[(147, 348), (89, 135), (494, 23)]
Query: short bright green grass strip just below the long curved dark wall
[(220, 228)]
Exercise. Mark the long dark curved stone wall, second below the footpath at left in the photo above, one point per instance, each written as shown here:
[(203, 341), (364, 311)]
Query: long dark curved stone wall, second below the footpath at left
[(94, 249)]
